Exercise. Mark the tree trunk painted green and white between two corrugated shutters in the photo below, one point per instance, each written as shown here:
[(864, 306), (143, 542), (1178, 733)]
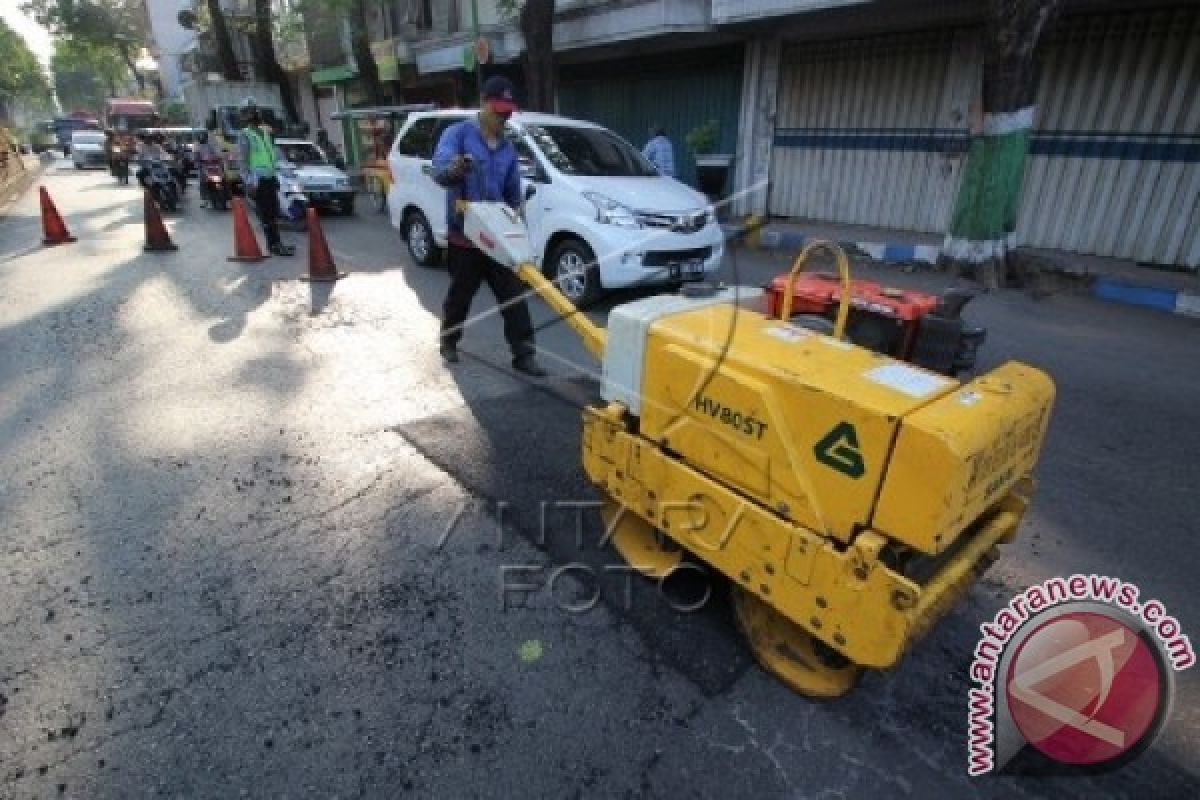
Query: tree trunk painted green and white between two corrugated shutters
[(981, 233)]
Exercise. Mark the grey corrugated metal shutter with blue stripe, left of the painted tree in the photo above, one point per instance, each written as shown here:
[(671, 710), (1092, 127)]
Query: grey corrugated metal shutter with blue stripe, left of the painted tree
[(872, 131)]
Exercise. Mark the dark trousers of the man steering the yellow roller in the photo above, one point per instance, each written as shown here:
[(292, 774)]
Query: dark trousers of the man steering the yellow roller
[(469, 268)]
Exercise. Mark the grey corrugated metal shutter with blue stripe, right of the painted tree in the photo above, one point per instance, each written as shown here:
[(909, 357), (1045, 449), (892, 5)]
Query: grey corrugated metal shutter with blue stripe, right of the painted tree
[(1115, 167)]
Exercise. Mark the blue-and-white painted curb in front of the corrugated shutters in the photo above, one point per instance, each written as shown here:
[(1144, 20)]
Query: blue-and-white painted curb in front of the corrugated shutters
[(1107, 279)]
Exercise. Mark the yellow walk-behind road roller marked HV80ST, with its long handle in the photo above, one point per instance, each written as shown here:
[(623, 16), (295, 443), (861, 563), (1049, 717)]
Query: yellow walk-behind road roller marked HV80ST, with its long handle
[(851, 498)]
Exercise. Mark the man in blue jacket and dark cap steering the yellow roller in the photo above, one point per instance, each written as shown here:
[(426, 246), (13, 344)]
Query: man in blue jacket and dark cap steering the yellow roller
[(476, 163)]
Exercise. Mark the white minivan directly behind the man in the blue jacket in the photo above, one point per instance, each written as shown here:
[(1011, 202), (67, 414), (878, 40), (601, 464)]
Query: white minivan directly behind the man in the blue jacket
[(601, 216)]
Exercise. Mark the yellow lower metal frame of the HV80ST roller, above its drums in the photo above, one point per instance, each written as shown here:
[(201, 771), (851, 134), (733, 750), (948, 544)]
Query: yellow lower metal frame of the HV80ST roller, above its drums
[(847, 598)]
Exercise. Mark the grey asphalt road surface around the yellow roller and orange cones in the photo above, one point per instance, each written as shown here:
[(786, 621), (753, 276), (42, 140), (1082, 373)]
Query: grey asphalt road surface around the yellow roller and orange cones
[(239, 560)]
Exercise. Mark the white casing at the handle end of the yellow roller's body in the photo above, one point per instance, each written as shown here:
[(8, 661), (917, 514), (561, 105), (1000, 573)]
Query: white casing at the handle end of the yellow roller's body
[(625, 356)]
